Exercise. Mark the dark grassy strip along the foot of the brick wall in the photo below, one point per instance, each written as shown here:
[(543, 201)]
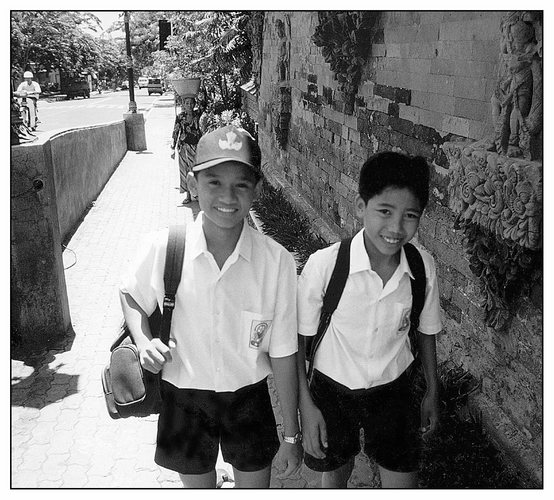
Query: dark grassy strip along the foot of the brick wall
[(460, 455)]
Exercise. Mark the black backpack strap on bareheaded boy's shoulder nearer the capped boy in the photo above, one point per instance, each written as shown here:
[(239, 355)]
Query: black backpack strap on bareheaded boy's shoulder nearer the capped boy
[(331, 299)]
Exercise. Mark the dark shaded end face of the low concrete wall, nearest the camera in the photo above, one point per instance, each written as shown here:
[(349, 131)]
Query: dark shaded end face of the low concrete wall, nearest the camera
[(39, 305)]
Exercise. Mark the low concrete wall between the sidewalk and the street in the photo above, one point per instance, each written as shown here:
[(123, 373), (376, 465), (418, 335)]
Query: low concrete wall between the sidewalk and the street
[(53, 181)]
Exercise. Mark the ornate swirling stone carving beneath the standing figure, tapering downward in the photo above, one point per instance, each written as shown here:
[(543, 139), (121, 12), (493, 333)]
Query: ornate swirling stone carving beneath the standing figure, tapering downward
[(498, 205)]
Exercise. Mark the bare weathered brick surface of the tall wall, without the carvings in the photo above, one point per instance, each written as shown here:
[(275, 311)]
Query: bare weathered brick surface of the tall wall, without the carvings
[(429, 80)]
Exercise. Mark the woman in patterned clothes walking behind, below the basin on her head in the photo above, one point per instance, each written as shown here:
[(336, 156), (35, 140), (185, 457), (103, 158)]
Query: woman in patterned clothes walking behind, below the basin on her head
[(185, 137)]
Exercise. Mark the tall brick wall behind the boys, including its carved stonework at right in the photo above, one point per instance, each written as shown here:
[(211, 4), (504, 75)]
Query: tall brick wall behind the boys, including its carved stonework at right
[(427, 85)]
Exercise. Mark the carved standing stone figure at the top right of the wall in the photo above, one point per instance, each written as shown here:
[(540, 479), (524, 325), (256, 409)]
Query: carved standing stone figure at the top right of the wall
[(517, 100)]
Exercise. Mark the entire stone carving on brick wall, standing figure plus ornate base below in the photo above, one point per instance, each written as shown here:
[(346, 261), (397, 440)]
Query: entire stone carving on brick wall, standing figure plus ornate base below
[(495, 185)]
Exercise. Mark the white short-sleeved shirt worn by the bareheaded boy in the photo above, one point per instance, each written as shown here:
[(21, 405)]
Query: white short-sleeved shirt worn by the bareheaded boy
[(367, 343)]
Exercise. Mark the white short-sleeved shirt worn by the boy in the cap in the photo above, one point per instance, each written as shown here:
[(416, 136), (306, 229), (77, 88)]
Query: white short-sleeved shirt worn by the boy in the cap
[(227, 322)]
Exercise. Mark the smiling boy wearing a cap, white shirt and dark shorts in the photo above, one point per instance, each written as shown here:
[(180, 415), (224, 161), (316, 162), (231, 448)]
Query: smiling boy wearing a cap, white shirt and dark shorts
[(233, 324)]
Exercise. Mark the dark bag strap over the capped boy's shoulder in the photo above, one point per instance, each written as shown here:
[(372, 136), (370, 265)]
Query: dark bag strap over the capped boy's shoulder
[(174, 257)]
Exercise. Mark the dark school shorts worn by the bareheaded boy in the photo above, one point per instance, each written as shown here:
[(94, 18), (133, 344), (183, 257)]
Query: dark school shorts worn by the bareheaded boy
[(385, 413)]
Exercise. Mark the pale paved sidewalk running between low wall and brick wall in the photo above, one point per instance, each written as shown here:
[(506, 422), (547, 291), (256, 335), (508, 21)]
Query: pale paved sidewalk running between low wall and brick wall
[(62, 436)]
